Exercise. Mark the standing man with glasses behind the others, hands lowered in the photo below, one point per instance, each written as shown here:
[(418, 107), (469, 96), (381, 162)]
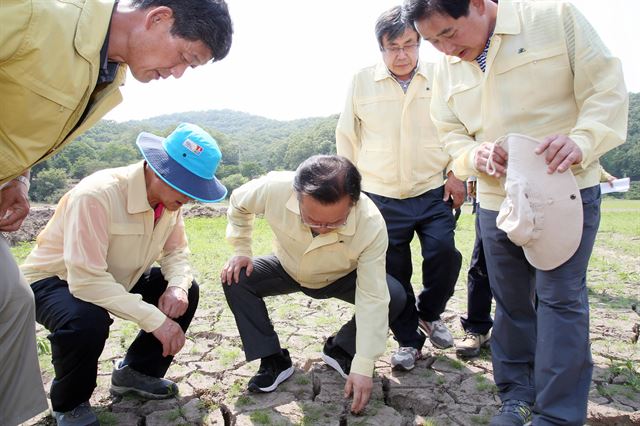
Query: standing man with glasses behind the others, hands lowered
[(386, 131)]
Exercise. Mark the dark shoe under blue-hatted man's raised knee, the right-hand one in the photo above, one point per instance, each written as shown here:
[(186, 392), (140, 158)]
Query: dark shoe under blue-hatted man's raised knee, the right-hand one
[(125, 379)]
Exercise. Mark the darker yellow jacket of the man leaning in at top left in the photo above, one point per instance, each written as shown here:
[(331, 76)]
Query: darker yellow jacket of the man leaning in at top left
[(49, 64)]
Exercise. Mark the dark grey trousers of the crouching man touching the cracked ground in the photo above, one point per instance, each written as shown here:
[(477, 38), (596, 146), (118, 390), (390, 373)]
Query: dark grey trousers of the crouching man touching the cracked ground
[(268, 278)]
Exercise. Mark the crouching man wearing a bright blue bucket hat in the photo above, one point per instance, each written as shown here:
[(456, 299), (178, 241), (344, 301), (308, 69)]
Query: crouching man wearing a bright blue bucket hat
[(95, 257)]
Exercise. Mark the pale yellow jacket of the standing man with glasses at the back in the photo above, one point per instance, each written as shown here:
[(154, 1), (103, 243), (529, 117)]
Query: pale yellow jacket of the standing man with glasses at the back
[(388, 135)]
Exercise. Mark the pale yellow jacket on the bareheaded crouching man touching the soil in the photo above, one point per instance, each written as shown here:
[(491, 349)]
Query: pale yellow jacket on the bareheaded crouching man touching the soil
[(317, 262)]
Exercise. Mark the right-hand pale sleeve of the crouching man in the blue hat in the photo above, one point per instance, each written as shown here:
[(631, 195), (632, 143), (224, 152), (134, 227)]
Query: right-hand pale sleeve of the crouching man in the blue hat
[(174, 260)]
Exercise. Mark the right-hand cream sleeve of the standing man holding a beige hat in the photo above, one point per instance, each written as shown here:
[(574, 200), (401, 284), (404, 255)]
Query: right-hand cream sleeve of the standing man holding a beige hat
[(599, 89)]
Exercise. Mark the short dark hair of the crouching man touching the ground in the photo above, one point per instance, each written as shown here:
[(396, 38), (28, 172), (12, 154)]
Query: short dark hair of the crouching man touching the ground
[(327, 179)]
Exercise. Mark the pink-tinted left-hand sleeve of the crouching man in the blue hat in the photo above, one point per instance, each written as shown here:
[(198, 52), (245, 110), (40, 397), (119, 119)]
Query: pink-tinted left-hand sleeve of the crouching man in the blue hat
[(86, 242)]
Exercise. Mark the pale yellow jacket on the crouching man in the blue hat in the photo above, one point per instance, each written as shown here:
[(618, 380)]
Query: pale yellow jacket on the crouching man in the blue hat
[(102, 238)]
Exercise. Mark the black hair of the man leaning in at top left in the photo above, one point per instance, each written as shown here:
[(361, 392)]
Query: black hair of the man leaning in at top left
[(207, 21)]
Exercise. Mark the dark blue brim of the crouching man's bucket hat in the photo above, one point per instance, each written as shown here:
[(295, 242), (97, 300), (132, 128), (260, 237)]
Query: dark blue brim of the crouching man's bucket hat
[(175, 175)]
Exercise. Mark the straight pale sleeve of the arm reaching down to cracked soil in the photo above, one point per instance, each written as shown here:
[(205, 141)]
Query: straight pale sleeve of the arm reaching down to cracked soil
[(372, 303)]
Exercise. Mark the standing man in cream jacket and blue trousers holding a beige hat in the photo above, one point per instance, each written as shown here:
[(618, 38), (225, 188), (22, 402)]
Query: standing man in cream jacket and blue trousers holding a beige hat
[(536, 68)]
